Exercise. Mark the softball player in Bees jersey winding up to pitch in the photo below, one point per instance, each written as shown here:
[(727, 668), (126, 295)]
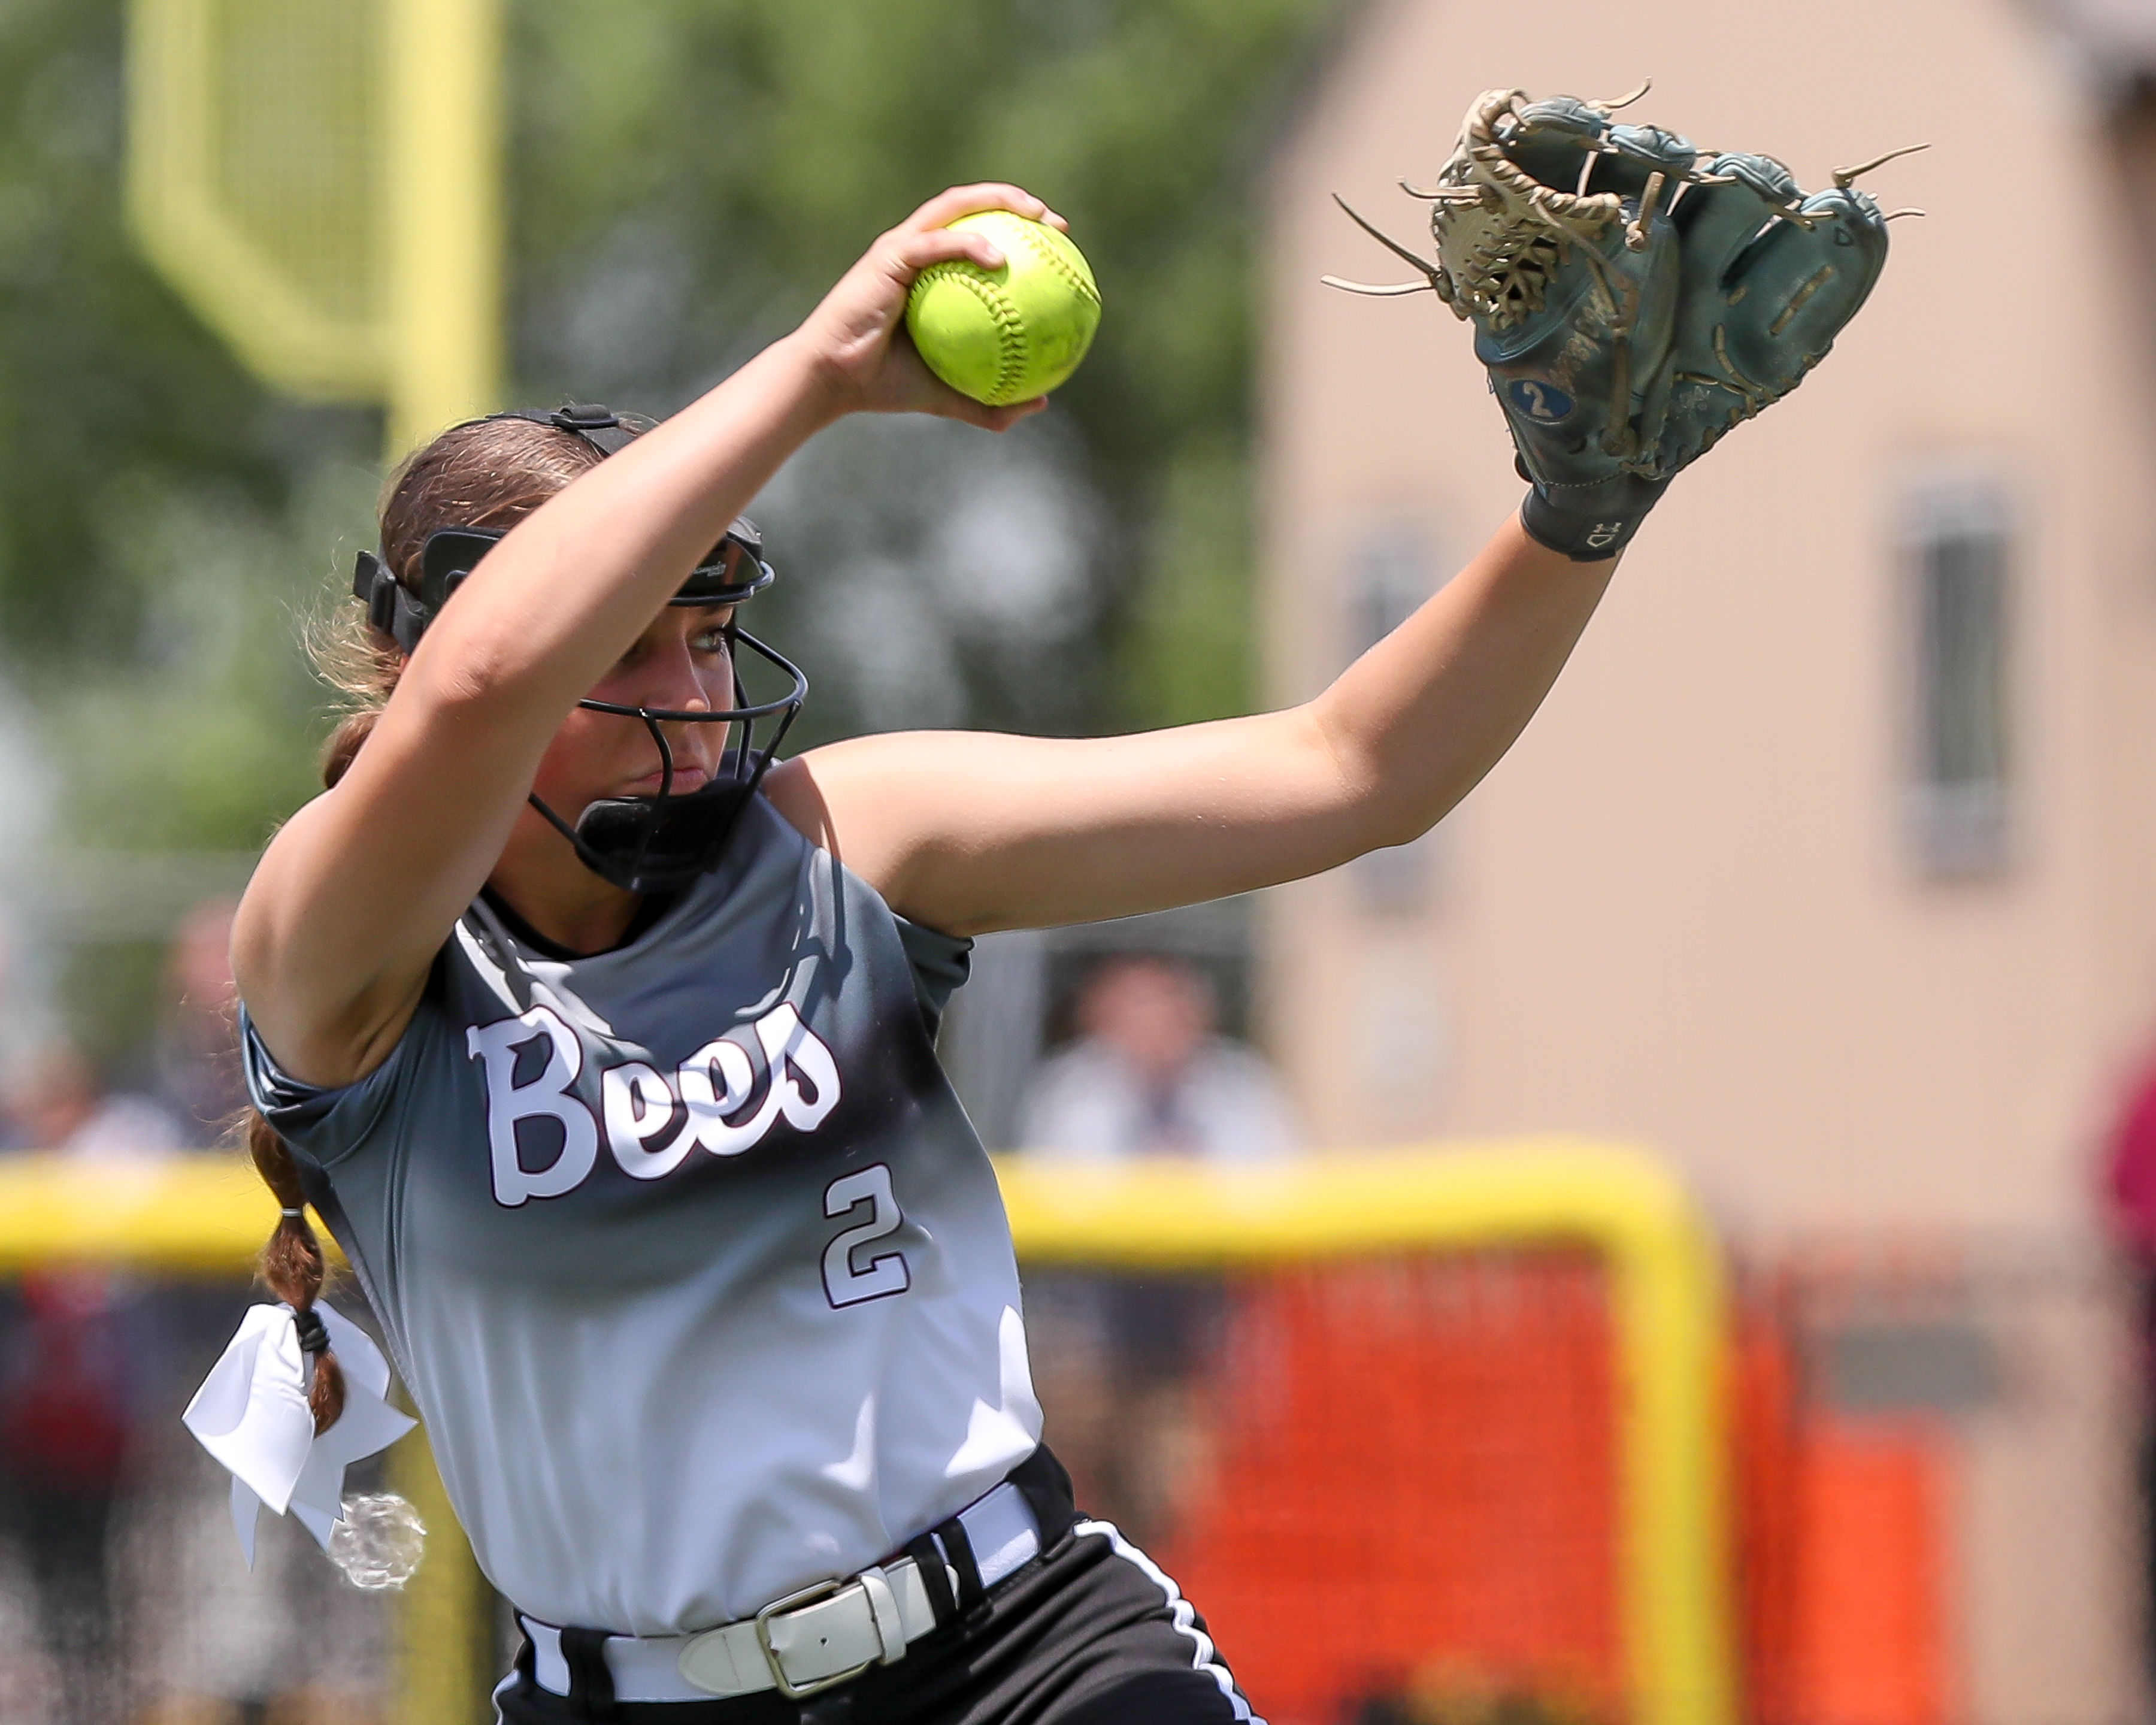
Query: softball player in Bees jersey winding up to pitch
[(613, 1071)]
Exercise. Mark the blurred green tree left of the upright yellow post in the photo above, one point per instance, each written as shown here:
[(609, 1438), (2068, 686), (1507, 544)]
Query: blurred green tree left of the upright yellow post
[(141, 475)]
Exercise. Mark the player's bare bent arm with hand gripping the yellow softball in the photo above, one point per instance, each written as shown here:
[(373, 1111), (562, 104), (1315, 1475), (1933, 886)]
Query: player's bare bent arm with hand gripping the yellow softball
[(357, 894)]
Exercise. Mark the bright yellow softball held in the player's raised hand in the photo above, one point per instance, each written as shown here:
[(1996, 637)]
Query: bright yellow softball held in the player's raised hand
[(1014, 333)]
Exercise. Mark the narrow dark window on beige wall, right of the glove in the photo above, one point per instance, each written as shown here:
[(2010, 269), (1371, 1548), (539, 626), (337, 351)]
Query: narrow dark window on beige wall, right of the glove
[(1961, 613)]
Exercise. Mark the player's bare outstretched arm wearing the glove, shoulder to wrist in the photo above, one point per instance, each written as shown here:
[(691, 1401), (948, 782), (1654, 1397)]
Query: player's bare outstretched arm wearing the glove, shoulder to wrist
[(971, 831)]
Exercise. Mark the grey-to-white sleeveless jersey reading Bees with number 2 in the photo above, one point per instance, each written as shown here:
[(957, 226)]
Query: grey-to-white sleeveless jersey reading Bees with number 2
[(687, 1252)]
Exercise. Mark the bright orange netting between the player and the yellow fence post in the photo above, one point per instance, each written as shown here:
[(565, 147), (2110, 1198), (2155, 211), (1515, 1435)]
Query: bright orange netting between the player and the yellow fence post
[(1415, 1476)]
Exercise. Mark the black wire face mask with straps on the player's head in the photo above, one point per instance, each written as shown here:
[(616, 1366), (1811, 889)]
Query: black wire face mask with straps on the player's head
[(644, 844)]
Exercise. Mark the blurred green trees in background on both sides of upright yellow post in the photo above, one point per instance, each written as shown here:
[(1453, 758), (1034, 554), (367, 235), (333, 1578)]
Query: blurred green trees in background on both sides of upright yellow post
[(687, 178)]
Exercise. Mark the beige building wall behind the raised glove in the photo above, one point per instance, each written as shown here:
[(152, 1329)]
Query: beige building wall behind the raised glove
[(1685, 909)]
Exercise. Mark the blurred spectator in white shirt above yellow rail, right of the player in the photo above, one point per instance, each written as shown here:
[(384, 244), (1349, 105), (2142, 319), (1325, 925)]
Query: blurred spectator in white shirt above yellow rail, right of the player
[(1148, 1077)]
